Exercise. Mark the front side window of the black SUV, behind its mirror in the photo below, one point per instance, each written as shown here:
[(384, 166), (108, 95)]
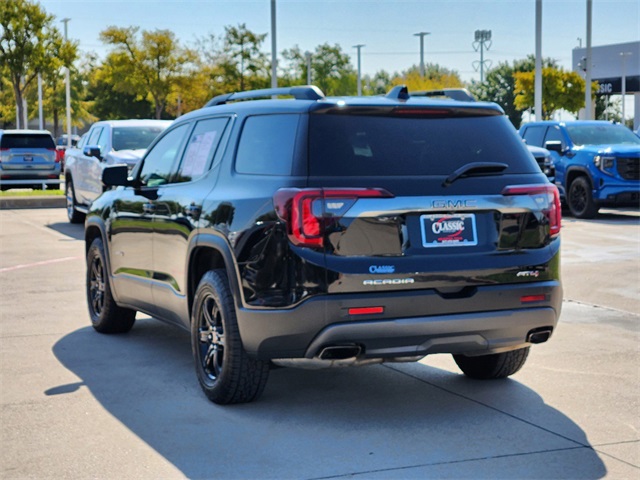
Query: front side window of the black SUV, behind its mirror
[(157, 166)]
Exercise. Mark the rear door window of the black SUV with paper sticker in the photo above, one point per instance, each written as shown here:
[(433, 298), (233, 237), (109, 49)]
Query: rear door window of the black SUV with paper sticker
[(201, 149)]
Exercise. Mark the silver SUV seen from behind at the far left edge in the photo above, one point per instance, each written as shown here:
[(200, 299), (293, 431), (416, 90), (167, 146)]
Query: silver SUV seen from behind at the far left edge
[(28, 160)]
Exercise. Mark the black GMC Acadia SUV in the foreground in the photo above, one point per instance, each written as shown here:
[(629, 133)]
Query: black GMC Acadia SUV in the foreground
[(320, 231)]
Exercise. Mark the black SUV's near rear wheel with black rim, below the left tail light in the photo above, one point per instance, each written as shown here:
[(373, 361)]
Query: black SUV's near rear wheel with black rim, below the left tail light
[(225, 372)]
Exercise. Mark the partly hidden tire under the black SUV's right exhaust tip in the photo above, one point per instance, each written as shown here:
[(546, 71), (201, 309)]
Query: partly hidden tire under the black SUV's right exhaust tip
[(497, 365)]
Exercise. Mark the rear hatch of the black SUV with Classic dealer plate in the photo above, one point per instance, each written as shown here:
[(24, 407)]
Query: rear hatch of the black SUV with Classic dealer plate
[(407, 198)]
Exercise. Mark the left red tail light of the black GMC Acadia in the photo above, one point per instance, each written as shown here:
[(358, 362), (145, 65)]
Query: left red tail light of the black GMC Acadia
[(308, 211)]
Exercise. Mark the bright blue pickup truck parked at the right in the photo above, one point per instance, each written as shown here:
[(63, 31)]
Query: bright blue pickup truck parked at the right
[(597, 163)]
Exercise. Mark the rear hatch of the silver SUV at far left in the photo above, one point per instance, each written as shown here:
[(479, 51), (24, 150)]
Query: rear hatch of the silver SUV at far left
[(25, 152)]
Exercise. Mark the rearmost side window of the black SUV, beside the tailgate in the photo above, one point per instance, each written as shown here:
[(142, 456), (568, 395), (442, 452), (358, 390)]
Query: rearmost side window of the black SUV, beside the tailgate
[(266, 145)]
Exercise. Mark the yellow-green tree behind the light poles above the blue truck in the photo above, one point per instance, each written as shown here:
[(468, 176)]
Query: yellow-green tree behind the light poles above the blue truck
[(561, 90)]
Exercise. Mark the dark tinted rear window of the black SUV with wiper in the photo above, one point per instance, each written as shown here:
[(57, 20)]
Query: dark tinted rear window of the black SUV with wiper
[(395, 146)]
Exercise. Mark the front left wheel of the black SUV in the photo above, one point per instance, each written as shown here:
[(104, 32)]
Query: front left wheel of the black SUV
[(106, 316)]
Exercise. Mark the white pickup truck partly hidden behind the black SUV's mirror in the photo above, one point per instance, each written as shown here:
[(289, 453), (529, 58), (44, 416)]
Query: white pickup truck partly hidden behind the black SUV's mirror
[(106, 143)]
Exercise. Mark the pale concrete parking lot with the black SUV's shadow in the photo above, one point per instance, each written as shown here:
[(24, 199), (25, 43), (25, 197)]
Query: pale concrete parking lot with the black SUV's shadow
[(77, 404)]
